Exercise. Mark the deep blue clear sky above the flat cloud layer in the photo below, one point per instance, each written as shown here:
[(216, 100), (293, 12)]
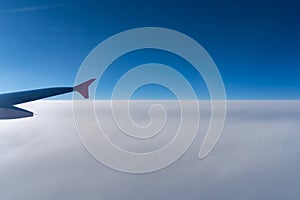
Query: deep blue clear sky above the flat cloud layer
[(254, 44)]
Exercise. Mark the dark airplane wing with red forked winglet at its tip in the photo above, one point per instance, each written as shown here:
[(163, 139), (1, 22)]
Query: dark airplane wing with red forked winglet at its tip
[(7, 101)]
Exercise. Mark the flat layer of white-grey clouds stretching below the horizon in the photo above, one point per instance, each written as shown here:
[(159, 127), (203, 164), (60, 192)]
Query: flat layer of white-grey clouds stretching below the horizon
[(257, 157)]
